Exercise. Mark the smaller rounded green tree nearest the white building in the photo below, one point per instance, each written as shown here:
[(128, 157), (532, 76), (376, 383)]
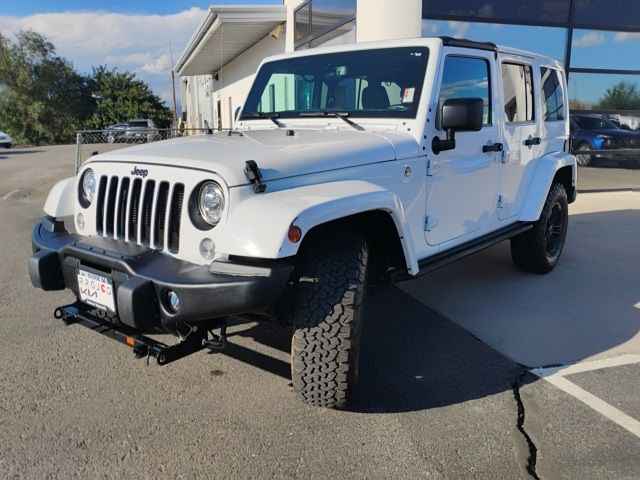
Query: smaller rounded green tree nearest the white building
[(121, 96)]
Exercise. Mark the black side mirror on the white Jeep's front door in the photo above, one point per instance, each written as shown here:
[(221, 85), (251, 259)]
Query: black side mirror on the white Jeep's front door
[(458, 115)]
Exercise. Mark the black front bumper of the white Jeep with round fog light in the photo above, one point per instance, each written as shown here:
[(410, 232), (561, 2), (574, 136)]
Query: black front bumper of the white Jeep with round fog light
[(141, 278)]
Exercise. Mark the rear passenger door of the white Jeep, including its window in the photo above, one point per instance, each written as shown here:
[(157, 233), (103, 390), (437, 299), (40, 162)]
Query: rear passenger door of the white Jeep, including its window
[(521, 133)]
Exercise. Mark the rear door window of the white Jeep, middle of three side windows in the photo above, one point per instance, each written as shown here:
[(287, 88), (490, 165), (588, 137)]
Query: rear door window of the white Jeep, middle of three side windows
[(517, 87)]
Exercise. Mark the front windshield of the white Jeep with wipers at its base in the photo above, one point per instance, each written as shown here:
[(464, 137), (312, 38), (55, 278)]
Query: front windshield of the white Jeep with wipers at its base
[(365, 83)]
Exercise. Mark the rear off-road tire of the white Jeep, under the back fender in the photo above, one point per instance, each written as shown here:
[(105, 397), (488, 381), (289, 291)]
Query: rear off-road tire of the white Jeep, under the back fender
[(538, 250)]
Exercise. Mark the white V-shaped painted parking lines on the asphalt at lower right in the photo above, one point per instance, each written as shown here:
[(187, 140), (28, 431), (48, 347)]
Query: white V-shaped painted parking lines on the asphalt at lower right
[(556, 376)]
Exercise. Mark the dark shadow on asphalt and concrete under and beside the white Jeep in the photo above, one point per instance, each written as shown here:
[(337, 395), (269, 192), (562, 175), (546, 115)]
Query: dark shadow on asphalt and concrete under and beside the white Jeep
[(413, 358)]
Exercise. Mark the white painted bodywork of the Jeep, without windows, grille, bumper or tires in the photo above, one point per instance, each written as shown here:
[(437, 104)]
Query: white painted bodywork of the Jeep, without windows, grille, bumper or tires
[(328, 170)]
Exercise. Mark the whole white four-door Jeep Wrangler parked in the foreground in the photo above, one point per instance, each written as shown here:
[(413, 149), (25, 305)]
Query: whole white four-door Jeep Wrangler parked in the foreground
[(362, 163)]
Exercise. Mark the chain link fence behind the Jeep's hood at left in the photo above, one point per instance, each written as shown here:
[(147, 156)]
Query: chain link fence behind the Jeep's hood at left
[(92, 142)]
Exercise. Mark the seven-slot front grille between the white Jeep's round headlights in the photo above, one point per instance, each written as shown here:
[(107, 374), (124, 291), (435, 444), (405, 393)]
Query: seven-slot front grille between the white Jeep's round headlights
[(140, 211)]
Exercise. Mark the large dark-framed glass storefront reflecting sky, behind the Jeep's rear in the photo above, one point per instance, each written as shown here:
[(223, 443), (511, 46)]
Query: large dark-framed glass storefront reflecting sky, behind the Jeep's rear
[(599, 42)]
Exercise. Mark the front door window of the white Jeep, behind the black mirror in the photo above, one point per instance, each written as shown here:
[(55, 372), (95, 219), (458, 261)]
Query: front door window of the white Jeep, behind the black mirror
[(466, 77)]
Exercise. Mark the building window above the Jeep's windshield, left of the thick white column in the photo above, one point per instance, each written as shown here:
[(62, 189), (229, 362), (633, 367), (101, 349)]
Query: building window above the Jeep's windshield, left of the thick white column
[(320, 21)]
